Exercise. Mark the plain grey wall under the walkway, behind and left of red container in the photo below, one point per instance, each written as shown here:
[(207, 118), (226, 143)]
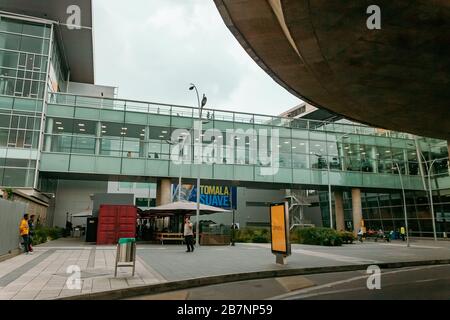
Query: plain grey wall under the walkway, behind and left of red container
[(73, 196)]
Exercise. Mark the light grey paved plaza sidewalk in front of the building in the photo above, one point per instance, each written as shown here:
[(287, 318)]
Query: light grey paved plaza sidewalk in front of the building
[(43, 275)]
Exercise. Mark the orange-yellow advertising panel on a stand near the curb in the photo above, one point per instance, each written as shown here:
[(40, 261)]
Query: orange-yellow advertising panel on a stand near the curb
[(279, 229)]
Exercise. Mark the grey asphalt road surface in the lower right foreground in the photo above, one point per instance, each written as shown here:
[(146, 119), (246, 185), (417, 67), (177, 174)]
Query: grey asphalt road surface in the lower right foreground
[(426, 282)]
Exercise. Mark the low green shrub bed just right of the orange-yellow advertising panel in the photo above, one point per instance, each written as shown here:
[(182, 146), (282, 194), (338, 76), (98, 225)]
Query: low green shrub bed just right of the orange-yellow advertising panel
[(317, 236)]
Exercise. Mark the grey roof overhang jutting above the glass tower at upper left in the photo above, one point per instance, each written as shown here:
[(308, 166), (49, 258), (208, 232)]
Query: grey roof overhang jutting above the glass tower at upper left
[(77, 44)]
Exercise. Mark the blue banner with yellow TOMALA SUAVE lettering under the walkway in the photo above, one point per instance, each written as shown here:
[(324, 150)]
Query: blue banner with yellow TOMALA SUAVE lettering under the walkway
[(224, 197)]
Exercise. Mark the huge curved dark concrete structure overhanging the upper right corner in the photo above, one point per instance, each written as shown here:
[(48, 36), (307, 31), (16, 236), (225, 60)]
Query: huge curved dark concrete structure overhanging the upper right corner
[(323, 52)]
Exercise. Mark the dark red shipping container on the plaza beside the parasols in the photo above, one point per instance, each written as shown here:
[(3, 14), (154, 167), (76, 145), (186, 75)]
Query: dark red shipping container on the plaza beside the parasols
[(114, 222)]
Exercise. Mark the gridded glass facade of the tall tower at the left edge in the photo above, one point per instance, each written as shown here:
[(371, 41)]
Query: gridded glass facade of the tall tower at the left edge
[(24, 48)]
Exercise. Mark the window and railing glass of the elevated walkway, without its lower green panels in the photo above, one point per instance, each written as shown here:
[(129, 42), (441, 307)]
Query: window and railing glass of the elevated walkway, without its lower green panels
[(128, 129)]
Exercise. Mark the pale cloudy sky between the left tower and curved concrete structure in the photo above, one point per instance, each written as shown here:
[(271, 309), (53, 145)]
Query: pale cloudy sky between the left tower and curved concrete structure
[(153, 49)]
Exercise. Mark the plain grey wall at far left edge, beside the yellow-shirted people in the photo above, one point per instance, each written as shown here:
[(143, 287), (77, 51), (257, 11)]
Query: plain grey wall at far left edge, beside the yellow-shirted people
[(11, 214)]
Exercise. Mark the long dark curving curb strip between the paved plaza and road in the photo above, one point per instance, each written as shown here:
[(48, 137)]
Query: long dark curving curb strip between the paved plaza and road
[(207, 281)]
